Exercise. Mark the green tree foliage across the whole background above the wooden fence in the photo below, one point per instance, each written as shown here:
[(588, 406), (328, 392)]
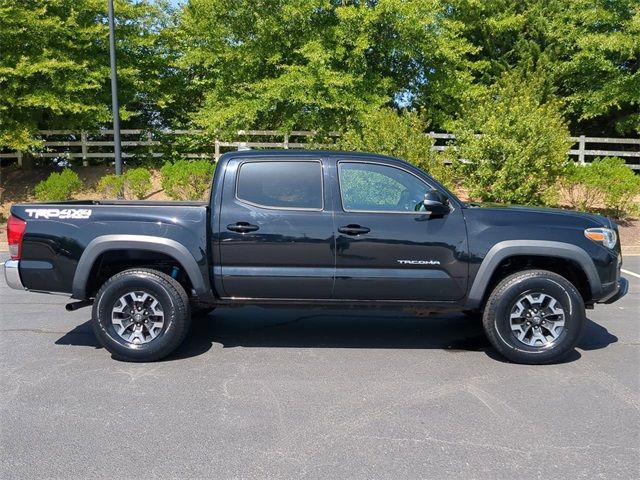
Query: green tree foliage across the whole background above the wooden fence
[(310, 65)]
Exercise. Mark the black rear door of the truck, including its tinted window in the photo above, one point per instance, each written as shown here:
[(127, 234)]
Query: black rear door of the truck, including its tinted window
[(276, 234)]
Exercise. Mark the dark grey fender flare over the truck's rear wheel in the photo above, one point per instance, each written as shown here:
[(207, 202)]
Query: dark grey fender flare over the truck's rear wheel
[(167, 246)]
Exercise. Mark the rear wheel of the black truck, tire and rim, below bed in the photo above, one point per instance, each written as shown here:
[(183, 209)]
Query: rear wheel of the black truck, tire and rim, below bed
[(141, 315)]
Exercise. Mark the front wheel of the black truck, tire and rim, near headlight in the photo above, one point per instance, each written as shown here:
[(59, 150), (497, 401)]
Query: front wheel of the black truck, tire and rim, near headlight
[(534, 317)]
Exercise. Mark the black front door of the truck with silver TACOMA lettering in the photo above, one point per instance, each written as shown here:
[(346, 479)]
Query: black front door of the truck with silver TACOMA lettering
[(387, 249)]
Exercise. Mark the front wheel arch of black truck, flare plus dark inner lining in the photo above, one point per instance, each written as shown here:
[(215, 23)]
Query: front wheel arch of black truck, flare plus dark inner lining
[(536, 250)]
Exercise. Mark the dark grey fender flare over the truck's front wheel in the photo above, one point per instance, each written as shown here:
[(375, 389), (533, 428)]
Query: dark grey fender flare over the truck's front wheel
[(539, 248)]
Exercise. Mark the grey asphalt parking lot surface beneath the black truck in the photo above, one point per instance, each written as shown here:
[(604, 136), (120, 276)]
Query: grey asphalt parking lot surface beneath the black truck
[(261, 393)]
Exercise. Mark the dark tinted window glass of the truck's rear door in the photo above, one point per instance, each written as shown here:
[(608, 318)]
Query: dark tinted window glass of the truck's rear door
[(281, 184)]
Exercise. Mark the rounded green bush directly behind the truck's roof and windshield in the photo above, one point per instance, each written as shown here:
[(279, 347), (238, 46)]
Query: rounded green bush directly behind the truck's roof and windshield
[(398, 135)]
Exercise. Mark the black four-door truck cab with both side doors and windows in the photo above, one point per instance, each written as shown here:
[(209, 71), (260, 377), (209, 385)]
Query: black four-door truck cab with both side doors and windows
[(340, 227)]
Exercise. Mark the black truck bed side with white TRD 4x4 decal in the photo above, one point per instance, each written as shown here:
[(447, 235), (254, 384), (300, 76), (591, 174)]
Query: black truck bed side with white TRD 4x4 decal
[(63, 240)]
